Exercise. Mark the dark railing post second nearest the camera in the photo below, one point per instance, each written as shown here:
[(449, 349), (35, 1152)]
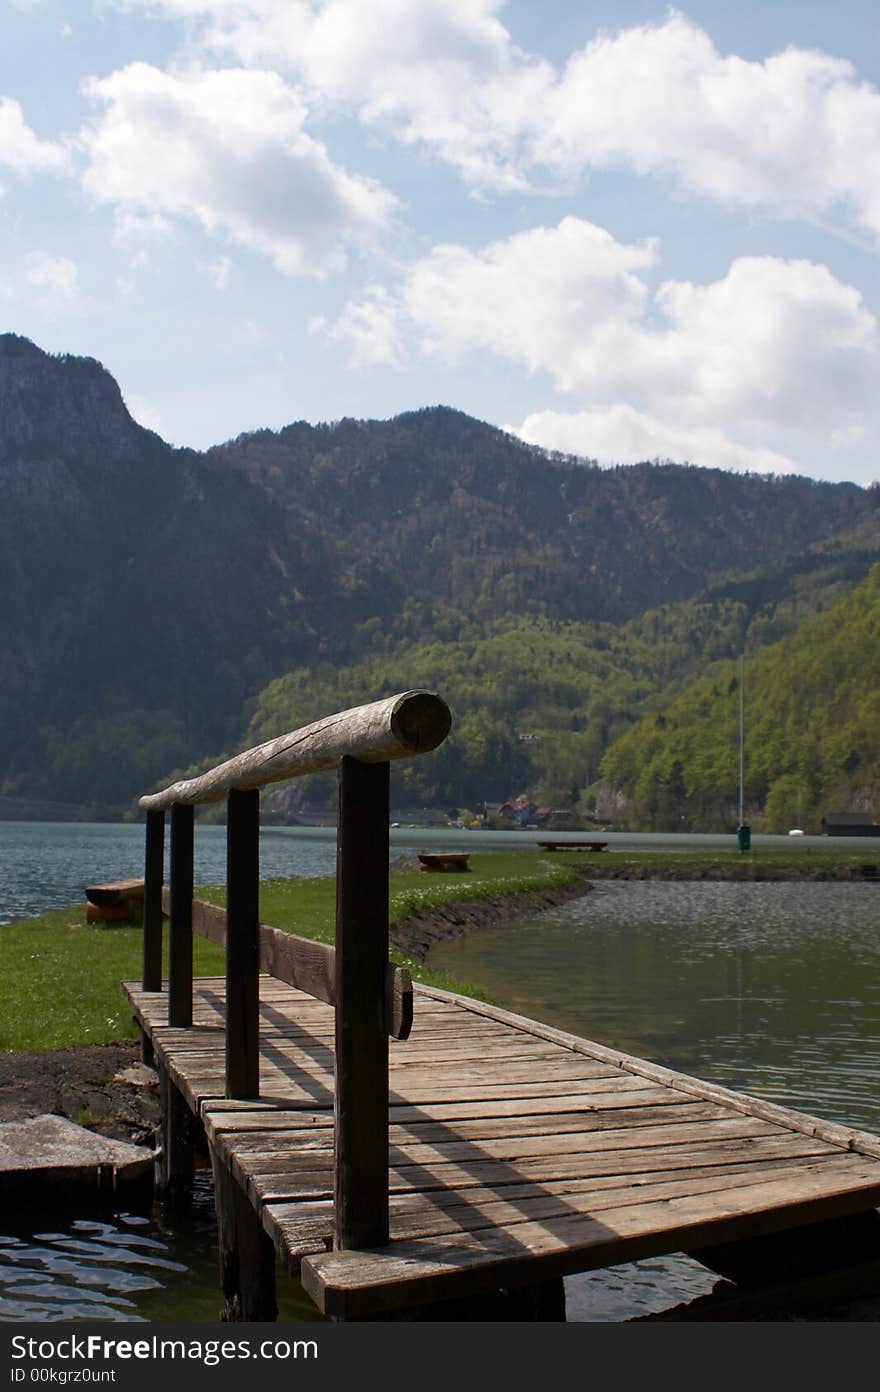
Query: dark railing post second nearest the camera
[(243, 947)]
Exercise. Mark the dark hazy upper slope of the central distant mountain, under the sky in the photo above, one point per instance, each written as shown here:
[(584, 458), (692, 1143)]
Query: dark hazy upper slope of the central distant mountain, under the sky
[(438, 513)]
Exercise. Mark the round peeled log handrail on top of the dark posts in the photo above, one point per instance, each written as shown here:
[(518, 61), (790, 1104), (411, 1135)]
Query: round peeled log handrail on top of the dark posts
[(396, 727)]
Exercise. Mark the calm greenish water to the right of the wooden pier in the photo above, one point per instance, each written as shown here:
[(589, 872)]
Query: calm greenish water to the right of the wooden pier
[(769, 989)]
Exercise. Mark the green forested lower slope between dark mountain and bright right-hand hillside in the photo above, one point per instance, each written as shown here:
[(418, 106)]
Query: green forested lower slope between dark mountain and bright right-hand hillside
[(538, 702)]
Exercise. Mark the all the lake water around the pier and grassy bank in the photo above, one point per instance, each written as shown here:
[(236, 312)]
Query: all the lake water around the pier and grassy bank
[(772, 989)]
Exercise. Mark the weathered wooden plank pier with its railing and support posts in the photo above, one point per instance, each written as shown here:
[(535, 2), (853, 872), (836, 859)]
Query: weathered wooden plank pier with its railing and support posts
[(411, 1153)]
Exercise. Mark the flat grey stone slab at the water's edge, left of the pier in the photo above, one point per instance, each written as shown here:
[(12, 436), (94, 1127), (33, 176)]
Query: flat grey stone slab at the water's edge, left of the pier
[(52, 1157)]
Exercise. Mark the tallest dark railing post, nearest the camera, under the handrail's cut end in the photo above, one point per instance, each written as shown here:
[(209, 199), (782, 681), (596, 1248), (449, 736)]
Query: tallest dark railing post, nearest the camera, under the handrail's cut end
[(361, 1105)]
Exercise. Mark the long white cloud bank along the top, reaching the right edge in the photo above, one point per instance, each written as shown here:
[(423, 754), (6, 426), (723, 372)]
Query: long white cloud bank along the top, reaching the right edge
[(797, 134)]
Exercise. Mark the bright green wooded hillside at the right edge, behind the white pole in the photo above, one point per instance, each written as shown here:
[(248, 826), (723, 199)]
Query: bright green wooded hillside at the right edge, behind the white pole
[(812, 733)]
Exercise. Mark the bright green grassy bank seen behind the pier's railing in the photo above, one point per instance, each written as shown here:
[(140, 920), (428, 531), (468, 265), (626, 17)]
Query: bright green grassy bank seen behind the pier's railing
[(61, 978)]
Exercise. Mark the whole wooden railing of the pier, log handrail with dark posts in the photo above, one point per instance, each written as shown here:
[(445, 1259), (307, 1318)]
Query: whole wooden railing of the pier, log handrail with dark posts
[(372, 997)]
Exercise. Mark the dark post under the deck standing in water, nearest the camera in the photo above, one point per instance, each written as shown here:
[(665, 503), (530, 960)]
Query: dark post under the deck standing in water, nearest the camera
[(247, 1256)]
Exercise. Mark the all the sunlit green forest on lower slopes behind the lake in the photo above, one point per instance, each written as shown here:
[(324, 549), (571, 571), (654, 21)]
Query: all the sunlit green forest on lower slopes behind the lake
[(558, 711)]
